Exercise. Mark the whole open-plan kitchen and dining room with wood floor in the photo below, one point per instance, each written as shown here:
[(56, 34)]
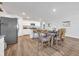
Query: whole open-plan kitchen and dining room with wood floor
[(22, 25)]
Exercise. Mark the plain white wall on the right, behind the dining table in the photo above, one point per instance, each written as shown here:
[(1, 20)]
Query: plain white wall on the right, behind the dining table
[(73, 30)]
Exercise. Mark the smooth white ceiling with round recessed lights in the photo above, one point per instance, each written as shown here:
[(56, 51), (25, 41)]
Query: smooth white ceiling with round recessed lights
[(43, 10)]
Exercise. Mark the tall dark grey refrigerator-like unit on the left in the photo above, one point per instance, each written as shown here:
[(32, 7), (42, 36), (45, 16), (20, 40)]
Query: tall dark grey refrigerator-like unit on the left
[(9, 29)]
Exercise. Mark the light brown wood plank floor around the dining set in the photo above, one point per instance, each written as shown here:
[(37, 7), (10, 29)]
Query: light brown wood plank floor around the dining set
[(29, 47)]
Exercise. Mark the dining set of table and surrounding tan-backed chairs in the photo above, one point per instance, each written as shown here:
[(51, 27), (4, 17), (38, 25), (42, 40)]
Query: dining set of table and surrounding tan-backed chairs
[(52, 38)]
